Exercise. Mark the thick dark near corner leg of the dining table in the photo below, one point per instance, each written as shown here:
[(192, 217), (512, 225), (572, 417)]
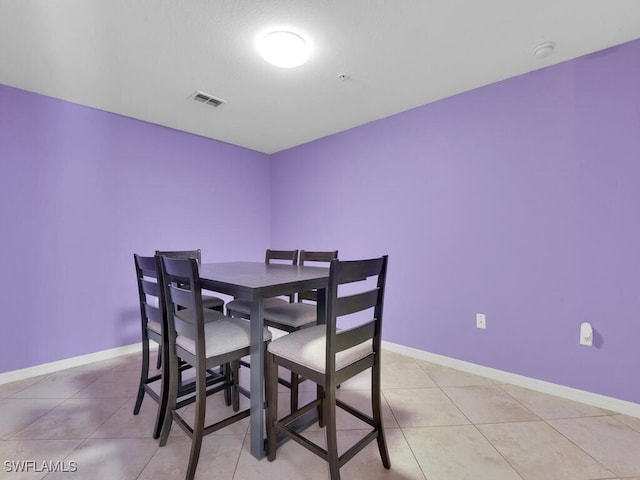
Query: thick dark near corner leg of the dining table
[(257, 379)]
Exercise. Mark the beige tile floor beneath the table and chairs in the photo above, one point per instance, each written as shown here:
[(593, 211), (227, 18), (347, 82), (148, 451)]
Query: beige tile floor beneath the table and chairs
[(441, 424)]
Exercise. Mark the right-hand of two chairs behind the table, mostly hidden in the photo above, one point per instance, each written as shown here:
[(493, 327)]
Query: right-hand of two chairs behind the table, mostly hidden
[(290, 317)]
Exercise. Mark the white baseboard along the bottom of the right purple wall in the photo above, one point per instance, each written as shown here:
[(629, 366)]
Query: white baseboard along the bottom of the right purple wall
[(589, 398)]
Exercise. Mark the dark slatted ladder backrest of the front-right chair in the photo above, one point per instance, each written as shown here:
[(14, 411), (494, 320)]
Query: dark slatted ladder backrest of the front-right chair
[(358, 296)]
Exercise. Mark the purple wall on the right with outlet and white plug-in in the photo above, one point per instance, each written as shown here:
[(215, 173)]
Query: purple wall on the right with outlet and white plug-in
[(518, 200)]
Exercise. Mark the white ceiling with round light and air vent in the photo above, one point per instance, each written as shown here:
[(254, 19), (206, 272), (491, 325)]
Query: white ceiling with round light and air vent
[(145, 58)]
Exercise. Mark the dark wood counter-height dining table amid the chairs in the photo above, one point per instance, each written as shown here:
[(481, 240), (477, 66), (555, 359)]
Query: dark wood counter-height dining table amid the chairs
[(255, 281)]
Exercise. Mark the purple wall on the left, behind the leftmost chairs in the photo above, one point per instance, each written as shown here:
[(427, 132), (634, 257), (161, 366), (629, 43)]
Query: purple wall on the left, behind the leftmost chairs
[(80, 191)]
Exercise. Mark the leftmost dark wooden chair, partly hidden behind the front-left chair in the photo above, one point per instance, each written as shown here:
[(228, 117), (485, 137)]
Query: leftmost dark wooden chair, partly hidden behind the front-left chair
[(154, 327)]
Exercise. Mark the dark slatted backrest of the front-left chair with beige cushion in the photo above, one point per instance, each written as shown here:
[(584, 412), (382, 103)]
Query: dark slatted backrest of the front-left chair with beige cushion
[(183, 306)]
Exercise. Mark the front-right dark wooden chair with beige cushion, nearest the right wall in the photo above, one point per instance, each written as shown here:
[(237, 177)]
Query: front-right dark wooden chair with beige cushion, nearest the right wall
[(329, 356)]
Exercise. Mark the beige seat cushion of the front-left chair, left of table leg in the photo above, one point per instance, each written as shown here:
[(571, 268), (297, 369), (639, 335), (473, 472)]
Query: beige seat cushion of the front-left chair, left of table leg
[(222, 336)]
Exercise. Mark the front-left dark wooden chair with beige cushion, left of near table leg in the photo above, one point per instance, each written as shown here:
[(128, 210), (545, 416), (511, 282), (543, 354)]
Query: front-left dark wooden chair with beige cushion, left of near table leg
[(203, 346)]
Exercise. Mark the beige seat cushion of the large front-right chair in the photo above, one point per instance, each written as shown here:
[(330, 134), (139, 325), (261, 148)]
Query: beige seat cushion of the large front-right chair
[(307, 347)]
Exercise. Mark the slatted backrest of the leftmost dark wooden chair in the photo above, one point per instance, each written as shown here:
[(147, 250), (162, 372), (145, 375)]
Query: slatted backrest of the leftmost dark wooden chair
[(152, 302)]
